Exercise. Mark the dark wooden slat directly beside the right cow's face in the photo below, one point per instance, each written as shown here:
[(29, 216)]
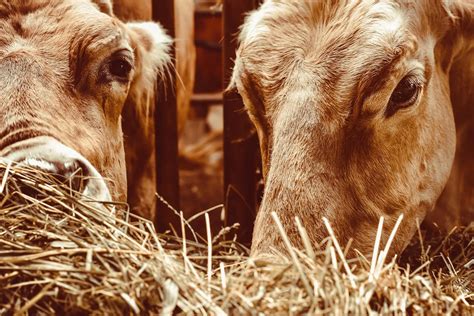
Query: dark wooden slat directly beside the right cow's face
[(240, 143)]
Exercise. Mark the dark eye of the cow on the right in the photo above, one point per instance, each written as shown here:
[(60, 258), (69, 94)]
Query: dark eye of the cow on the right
[(404, 95)]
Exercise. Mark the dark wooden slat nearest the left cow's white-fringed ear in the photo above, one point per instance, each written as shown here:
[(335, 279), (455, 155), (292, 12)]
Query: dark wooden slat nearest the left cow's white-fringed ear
[(166, 130)]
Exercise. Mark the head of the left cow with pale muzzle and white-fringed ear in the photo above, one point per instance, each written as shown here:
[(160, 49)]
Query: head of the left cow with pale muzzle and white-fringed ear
[(67, 67)]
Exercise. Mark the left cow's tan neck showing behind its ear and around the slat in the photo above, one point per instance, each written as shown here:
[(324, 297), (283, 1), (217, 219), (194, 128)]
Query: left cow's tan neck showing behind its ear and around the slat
[(139, 126)]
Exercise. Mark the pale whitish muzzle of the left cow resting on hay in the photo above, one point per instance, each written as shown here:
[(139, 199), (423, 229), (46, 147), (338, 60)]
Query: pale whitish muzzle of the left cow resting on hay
[(51, 156)]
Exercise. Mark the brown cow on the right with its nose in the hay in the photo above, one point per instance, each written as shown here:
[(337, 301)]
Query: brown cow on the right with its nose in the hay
[(353, 104)]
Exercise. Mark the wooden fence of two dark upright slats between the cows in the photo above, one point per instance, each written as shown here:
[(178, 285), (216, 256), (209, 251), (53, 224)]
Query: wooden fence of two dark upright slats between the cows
[(241, 158)]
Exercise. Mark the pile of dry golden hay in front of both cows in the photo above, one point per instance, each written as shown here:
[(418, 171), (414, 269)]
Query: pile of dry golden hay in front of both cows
[(61, 255)]
